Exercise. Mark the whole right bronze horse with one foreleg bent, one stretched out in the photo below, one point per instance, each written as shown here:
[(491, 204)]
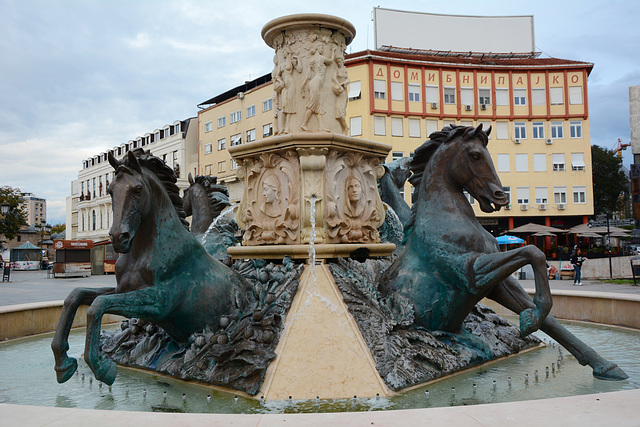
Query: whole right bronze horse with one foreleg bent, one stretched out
[(451, 262)]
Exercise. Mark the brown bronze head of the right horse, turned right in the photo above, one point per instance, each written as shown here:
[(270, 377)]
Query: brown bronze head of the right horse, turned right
[(471, 168)]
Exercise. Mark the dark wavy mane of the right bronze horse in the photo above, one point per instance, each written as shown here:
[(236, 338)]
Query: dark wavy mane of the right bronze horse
[(424, 153)]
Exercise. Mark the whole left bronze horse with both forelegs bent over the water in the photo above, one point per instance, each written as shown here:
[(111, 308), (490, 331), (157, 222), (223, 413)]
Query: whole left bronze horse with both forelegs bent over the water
[(164, 275)]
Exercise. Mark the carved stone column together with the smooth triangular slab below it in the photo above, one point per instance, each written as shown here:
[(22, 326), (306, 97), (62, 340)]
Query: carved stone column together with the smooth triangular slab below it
[(310, 163)]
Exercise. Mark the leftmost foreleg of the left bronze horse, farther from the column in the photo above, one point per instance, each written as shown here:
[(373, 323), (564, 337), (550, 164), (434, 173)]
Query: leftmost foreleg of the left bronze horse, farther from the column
[(66, 366)]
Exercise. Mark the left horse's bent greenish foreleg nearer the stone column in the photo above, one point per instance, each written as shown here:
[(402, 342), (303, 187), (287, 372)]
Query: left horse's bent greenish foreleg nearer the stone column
[(146, 303)]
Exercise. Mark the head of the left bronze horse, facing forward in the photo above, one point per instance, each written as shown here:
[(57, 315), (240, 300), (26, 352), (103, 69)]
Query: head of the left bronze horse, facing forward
[(131, 201)]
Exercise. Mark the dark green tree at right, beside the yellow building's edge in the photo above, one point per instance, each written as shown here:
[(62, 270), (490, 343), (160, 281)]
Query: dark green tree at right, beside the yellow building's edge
[(608, 179)]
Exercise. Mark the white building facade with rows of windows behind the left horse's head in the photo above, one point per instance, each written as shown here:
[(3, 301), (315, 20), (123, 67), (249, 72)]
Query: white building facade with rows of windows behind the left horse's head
[(89, 212)]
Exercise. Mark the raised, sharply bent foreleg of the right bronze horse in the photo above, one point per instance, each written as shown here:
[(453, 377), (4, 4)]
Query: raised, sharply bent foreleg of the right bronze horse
[(496, 267)]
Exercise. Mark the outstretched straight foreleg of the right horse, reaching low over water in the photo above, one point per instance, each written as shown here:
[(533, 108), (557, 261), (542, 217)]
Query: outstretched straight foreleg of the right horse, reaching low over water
[(511, 295)]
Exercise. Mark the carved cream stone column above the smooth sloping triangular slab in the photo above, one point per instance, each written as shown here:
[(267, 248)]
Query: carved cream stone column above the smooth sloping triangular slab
[(310, 160)]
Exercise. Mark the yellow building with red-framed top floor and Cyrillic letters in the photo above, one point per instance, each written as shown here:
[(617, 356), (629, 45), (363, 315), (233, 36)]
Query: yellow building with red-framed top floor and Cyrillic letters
[(537, 108)]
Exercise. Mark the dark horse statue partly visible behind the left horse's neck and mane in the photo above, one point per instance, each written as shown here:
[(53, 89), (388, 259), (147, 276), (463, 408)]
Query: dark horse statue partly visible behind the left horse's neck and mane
[(204, 200)]
